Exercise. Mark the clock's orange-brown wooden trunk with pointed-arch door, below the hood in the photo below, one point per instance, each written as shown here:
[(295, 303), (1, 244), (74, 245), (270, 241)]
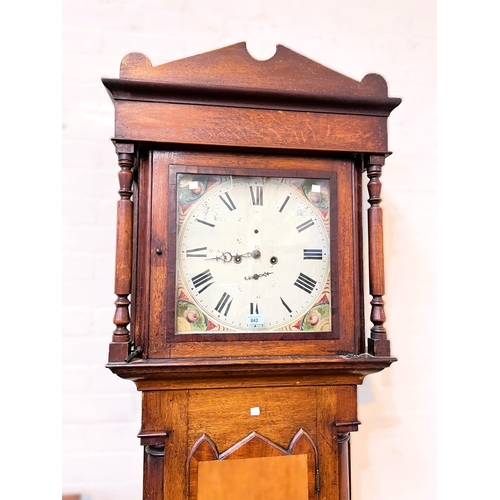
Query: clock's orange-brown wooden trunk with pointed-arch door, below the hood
[(246, 443)]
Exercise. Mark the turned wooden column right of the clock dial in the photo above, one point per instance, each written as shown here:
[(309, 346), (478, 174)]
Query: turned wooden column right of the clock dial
[(378, 344)]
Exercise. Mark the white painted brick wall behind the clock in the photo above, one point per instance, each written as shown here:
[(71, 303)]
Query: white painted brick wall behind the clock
[(101, 456)]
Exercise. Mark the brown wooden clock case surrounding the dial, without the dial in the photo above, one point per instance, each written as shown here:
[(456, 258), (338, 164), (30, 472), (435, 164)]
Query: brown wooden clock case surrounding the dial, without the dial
[(286, 116)]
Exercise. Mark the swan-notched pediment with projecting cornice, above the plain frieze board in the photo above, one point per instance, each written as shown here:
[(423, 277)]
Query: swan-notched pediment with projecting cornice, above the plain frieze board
[(232, 77)]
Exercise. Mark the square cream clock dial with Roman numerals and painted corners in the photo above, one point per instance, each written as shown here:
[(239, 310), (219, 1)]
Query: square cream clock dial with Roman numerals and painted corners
[(253, 254)]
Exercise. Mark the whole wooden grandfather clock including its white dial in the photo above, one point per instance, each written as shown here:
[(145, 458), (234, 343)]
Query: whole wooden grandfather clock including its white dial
[(239, 269)]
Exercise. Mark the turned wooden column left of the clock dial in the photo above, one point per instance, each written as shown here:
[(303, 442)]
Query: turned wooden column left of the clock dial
[(120, 345)]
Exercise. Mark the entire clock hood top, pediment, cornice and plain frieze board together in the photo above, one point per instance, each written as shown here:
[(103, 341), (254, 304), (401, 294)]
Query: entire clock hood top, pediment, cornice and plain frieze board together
[(263, 104)]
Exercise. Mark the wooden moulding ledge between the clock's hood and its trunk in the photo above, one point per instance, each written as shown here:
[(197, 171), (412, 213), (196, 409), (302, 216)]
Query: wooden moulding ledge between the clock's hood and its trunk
[(287, 371)]
